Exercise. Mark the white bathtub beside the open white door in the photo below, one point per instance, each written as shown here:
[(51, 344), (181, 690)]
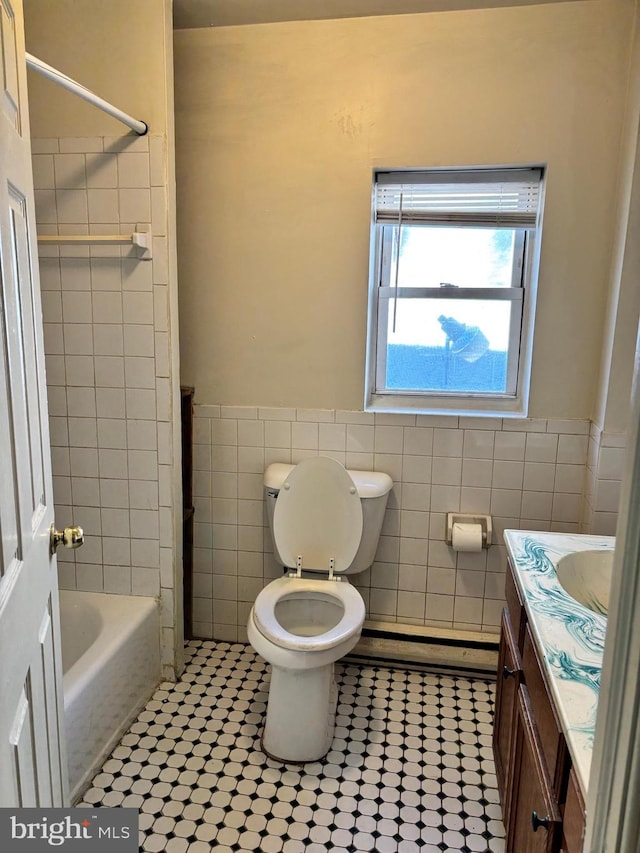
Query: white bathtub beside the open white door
[(111, 663)]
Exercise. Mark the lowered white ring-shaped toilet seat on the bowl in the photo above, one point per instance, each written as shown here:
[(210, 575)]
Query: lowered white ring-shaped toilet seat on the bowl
[(265, 620)]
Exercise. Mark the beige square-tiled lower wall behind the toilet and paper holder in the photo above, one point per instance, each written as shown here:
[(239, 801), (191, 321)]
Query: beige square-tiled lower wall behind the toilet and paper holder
[(526, 473)]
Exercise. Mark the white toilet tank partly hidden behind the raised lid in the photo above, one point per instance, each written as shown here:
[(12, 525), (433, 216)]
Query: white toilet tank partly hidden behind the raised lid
[(373, 488)]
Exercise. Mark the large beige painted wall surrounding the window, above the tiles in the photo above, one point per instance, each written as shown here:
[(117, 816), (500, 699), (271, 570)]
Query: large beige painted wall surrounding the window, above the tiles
[(278, 130)]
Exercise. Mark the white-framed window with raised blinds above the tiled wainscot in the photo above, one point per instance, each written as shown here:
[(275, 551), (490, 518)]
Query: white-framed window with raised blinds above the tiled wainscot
[(454, 255)]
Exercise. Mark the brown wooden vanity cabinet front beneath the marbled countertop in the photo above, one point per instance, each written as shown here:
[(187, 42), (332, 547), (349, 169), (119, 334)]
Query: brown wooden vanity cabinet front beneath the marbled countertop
[(542, 807)]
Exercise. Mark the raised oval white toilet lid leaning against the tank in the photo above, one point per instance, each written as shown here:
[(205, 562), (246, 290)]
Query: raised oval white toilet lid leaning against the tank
[(318, 516)]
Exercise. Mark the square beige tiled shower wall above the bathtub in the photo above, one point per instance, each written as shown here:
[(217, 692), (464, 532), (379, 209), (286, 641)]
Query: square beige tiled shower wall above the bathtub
[(107, 345)]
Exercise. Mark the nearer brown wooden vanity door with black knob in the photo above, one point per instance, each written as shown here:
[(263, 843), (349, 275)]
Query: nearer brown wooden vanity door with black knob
[(534, 820)]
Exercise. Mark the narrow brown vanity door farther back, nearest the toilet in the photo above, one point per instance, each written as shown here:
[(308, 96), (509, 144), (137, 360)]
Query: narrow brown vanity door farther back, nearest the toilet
[(508, 679)]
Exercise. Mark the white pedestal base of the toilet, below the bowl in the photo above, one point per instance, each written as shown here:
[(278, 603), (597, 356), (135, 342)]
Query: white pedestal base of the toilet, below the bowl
[(301, 713)]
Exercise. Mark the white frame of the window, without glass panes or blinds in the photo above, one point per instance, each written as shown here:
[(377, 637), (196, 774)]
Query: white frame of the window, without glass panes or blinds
[(513, 402)]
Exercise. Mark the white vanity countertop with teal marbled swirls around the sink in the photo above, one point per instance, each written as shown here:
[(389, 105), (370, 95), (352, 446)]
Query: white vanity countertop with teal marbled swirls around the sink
[(570, 637)]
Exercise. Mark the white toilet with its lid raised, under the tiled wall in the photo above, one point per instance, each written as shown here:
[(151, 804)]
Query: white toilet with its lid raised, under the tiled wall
[(325, 522)]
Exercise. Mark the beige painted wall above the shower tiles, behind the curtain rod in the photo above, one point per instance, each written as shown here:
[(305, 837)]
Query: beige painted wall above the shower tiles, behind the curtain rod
[(118, 49)]
